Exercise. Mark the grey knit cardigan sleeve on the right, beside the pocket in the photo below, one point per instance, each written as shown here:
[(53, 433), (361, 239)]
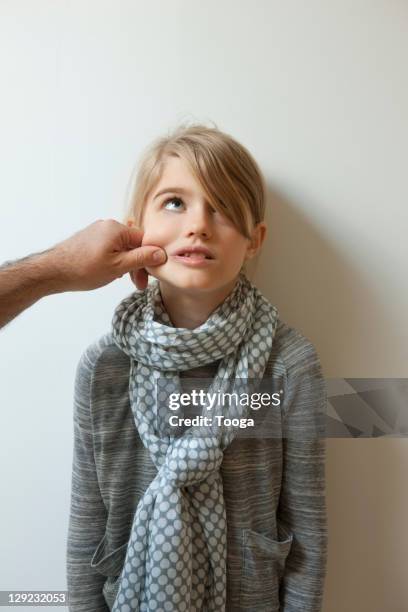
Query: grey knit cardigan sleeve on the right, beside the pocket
[(302, 503)]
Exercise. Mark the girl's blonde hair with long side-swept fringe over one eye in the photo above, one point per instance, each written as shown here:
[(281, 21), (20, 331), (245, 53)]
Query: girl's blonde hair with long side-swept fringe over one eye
[(228, 174)]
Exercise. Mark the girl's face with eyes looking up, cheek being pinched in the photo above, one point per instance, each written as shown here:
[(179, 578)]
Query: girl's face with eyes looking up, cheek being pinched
[(176, 216)]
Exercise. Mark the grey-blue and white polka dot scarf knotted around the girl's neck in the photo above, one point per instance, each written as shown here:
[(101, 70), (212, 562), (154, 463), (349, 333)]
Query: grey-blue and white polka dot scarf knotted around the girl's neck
[(176, 555)]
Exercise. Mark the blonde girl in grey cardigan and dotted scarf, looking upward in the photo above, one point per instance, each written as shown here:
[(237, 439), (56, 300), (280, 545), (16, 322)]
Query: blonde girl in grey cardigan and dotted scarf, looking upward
[(191, 522)]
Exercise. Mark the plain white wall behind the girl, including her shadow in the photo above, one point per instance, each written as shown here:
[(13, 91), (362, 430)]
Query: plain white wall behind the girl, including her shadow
[(318, 92)]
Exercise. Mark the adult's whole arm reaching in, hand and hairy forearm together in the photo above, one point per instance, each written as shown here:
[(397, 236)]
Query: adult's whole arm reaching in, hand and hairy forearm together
[(91, 258)]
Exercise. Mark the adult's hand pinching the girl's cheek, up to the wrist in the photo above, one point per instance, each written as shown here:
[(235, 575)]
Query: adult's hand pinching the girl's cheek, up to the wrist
[(102, 252)]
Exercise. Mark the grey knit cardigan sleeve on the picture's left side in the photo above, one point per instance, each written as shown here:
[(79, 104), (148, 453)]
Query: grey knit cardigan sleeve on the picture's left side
[(87, 519)]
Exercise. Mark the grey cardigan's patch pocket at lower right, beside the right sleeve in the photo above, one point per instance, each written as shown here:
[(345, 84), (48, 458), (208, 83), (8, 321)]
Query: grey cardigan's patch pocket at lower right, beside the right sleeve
[(263, 564)]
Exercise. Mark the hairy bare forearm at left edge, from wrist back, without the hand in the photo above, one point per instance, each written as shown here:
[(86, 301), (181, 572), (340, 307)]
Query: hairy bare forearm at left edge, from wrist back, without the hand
[(23, 282)]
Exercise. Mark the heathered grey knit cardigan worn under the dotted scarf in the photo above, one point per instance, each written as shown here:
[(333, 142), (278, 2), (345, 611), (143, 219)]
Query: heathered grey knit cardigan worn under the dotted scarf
[(274, 488)]
